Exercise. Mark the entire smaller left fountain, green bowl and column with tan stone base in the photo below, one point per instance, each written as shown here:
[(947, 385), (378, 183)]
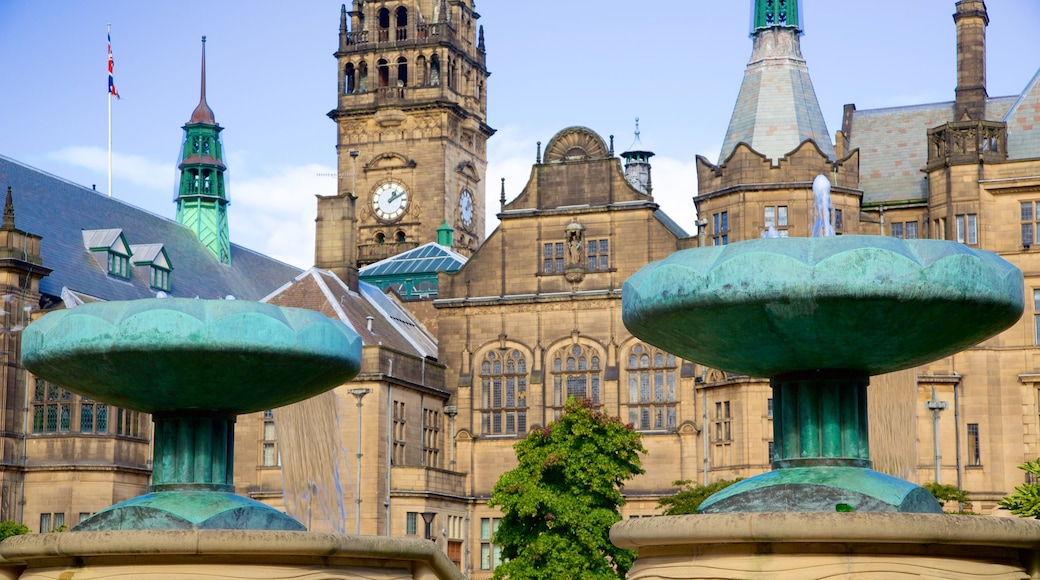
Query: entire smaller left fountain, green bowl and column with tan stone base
[(195, 365)]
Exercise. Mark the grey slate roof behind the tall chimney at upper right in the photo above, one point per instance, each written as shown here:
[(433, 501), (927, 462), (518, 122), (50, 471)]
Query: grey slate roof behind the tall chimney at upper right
[(894, 147)]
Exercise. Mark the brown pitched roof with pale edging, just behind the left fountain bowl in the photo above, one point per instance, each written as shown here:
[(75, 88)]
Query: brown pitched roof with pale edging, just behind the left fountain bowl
[(392, 326)]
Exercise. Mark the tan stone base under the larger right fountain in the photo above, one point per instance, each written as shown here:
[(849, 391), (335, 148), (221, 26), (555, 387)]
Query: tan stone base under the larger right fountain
[(807, 546)]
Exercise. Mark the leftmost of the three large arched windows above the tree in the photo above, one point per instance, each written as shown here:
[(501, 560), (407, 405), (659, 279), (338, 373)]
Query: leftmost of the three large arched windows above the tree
[(504, 393)]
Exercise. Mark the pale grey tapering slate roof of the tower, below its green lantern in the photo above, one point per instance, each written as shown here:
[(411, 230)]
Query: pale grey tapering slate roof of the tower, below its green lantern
[(777, 109)]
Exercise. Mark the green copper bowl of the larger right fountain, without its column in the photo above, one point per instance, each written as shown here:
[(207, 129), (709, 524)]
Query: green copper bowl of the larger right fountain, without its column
[(871, 304)]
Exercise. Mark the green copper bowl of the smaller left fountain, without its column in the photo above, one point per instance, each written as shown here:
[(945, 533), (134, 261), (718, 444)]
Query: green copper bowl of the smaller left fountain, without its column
[(171, 355)]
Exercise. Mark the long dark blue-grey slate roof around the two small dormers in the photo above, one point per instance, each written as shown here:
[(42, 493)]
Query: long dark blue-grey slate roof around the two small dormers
[(60, 212)]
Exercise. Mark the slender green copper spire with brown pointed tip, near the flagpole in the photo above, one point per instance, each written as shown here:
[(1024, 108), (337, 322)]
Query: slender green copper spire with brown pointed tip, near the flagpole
[(202, 198)]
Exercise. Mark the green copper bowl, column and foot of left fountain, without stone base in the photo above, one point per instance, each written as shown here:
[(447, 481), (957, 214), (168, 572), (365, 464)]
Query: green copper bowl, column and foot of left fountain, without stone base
[(195, 365)]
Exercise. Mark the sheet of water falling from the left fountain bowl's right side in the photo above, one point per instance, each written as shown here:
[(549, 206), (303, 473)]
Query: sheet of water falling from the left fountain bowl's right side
[(314, 465)]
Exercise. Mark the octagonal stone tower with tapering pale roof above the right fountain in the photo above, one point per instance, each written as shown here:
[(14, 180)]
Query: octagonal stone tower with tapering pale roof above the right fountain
[(776, 145)]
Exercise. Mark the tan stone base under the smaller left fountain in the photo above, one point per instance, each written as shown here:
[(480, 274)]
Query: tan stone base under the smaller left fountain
[(220, 556)]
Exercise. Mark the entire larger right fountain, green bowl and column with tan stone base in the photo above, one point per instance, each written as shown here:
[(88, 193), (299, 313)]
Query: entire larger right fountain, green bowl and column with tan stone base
[(819, 317)]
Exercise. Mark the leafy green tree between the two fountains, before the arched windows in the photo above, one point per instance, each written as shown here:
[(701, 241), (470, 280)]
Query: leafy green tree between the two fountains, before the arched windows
[(561, 500)]
